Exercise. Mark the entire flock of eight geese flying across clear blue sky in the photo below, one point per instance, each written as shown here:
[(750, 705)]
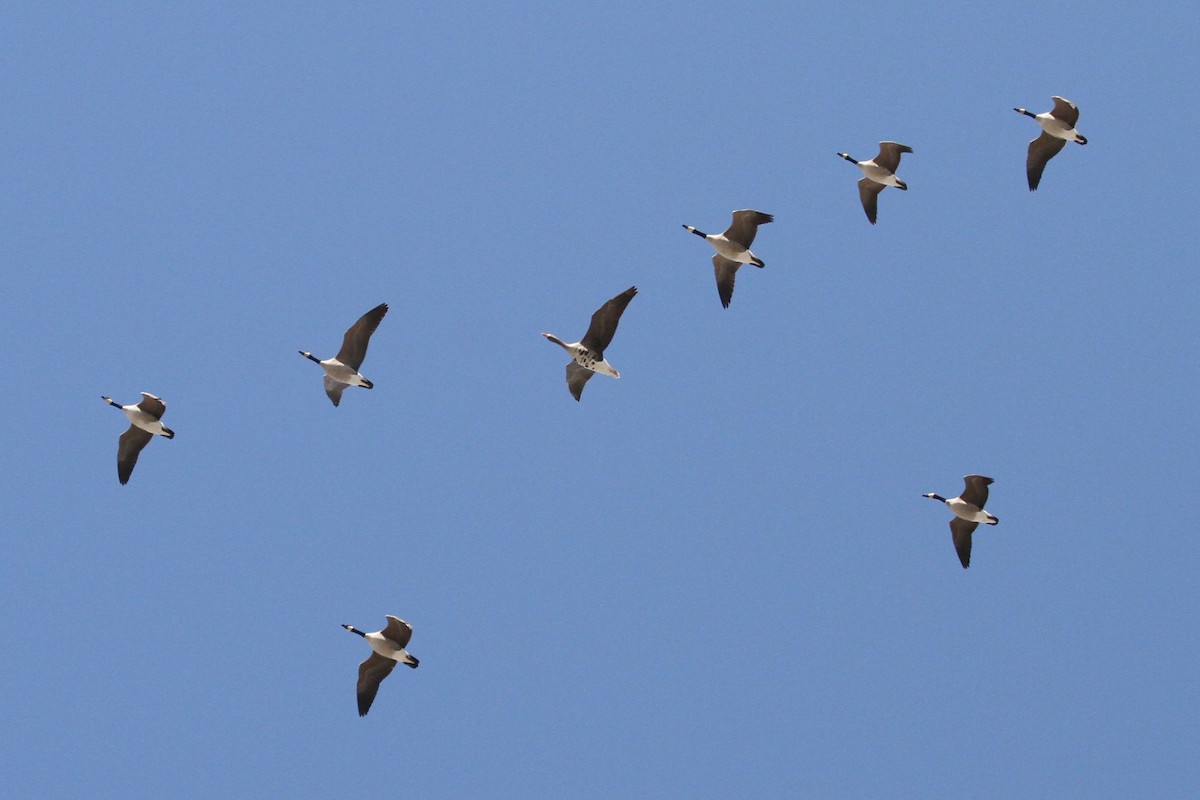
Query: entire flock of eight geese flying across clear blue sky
[(388, 647)]
